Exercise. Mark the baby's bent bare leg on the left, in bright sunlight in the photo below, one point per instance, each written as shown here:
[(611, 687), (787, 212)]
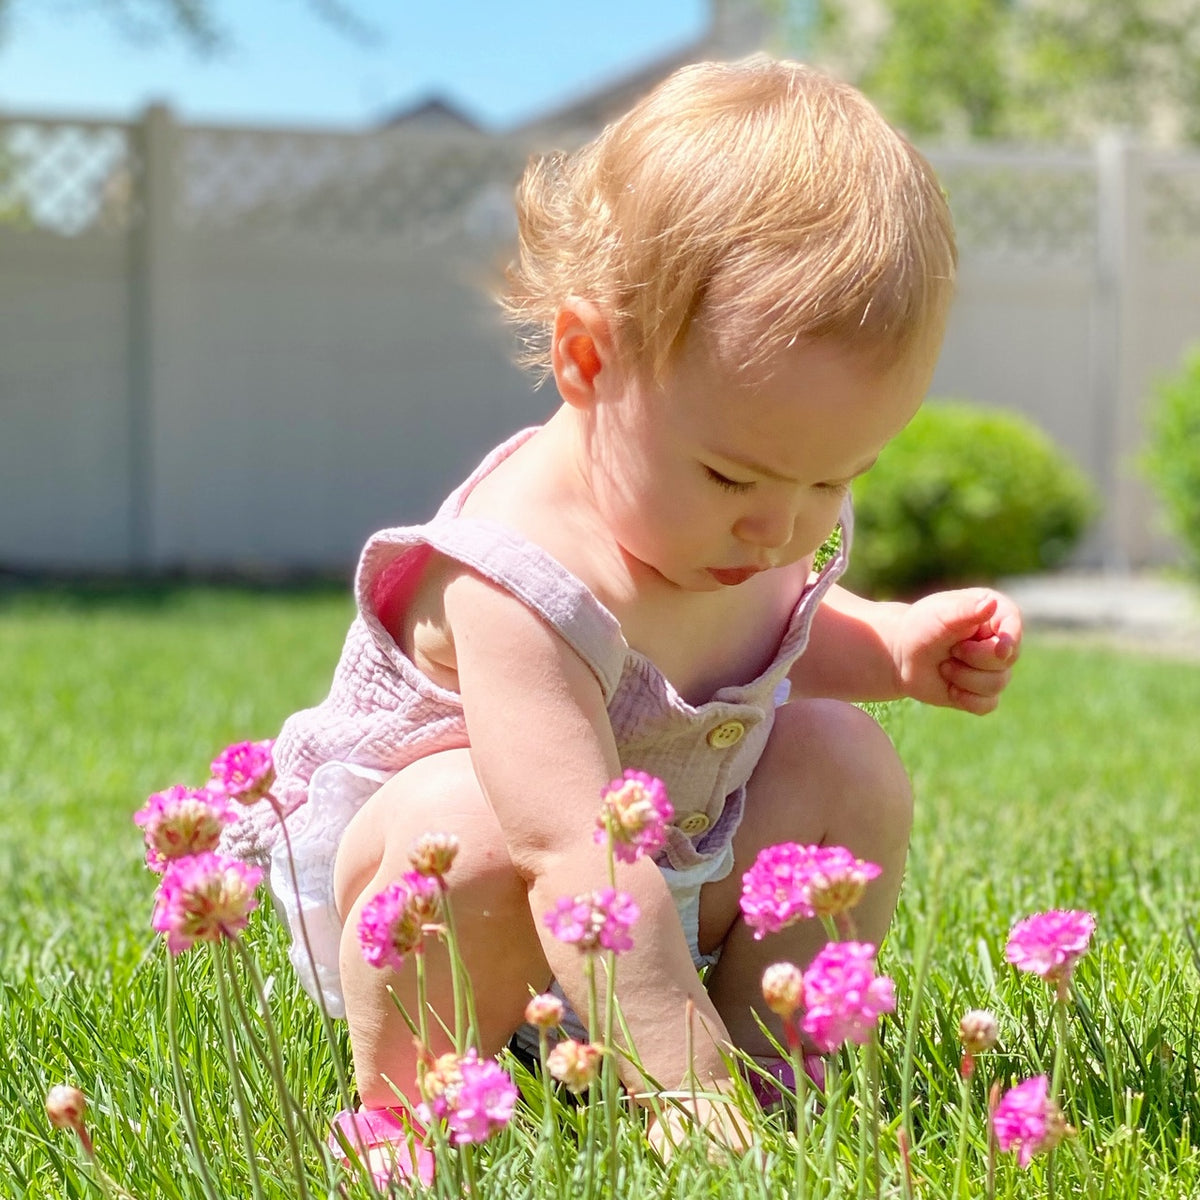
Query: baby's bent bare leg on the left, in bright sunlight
[(499, 939)]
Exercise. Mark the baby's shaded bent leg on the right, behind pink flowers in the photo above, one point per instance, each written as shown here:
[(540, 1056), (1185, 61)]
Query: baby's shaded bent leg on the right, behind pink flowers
[(829, 776)]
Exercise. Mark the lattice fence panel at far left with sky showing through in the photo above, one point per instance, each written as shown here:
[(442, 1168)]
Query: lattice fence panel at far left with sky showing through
[(68, 178)]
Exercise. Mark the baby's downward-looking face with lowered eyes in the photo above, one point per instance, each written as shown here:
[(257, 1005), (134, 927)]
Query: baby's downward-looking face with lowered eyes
[(713, 477)]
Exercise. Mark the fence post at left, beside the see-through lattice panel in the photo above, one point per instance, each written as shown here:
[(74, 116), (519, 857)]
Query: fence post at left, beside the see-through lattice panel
[(151, 267)]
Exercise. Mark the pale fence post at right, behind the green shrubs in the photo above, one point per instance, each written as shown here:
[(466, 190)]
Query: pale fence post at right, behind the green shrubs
[(1120, 238)]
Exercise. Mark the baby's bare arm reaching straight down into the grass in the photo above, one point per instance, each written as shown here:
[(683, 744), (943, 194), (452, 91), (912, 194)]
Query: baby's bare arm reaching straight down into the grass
[(543, 749)]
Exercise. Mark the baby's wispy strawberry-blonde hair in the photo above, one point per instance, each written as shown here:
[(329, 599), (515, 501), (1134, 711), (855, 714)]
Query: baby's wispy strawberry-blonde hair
[(761, 200)]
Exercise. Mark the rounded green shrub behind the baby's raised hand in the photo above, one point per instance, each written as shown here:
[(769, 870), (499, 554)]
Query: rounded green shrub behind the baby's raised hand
[(965, 495)]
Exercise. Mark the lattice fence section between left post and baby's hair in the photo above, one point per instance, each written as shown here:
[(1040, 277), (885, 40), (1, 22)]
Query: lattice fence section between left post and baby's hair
[(383, 187)]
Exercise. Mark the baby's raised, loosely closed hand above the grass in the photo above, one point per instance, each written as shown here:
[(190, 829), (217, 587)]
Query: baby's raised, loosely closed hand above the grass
[(958, 649)]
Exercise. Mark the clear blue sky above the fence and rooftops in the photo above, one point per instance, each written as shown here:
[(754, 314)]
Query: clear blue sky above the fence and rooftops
[(501, 62)]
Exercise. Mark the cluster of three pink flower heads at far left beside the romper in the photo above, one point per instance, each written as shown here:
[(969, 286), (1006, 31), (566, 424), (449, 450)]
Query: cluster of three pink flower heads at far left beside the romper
[(203, 896)]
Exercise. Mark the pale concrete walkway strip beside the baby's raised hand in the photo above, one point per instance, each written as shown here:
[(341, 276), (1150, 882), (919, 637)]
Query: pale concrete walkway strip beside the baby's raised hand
[(1153, 611)]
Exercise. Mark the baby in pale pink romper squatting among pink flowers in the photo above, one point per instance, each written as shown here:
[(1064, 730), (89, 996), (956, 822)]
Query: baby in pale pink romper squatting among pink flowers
[(740, 291)]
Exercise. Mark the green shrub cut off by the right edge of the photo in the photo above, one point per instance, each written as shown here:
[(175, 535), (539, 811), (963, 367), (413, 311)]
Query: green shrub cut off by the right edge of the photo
[(1173, 457)]
